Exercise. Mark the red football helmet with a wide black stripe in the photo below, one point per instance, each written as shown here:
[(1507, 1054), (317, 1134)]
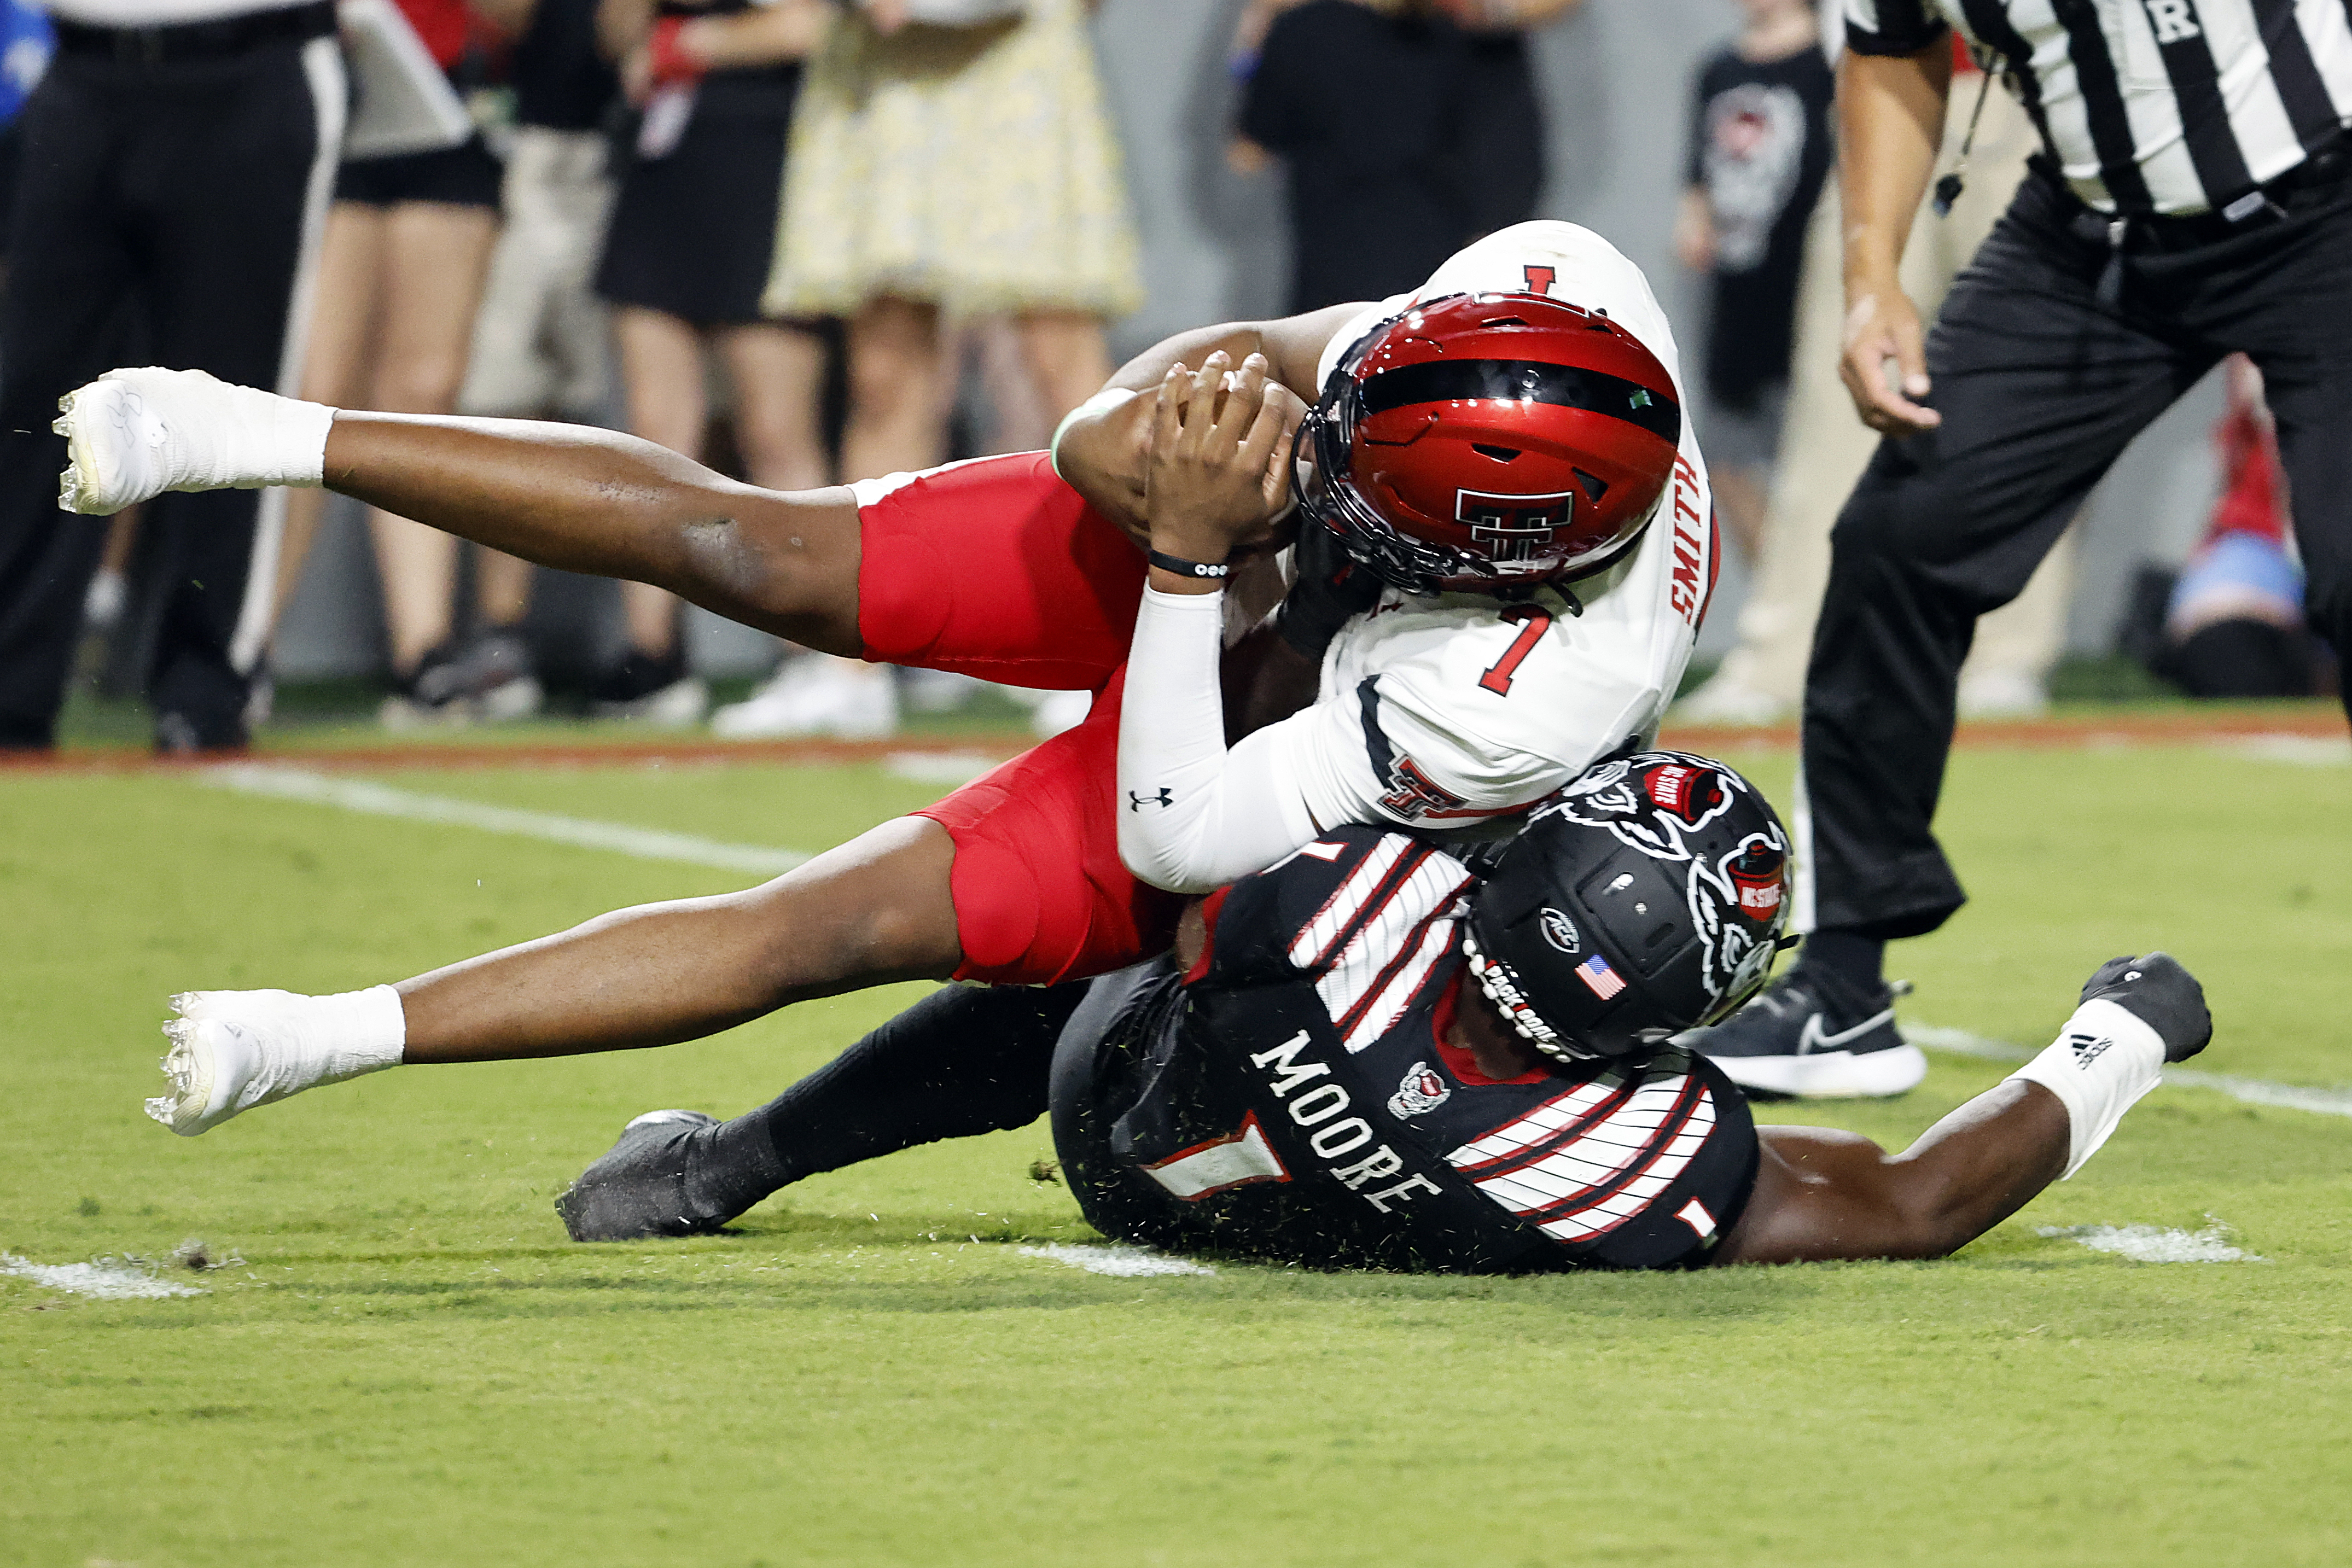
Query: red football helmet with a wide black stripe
[(1490, 443)]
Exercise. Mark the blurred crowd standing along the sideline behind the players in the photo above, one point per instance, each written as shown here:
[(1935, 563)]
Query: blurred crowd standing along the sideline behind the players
[(820, 241)]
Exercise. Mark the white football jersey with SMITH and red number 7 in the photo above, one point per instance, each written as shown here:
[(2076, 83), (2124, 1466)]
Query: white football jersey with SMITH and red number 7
[(1455, 709)]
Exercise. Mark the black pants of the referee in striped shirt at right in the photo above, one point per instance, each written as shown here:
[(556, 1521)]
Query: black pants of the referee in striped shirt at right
[(2043, 382)]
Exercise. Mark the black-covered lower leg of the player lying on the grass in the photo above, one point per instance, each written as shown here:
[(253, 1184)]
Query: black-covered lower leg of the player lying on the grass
[(958, 1064)]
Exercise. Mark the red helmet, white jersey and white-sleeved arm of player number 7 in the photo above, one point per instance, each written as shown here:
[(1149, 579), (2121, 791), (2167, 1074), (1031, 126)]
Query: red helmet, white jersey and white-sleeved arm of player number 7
[(1504, 455)]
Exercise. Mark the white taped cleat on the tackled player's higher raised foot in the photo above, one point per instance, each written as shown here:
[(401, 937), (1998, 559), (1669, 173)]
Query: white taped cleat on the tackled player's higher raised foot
[(135, 434)]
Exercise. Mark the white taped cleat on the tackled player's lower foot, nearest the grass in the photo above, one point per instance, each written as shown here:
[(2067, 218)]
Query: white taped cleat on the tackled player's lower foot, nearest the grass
[(241, 1050)]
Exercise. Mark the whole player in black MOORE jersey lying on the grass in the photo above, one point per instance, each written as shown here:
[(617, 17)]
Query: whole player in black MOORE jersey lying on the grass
[(1379, 1054)]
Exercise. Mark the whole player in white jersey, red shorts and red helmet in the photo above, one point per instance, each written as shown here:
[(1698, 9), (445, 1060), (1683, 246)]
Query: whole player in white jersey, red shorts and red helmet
[(1589, 579)]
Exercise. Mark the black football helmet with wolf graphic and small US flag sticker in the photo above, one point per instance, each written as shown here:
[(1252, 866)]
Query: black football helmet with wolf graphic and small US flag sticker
[(1641, 902)]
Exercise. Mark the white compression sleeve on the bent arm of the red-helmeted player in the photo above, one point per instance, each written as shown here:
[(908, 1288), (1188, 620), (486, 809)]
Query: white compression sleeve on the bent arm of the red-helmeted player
[(1194, 817)]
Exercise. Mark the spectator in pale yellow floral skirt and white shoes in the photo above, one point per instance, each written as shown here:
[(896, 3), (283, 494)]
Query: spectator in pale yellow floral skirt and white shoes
[(944, 173)]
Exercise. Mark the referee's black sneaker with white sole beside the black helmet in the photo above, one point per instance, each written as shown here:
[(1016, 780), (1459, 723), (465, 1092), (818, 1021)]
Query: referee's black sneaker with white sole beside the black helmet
[(1815, 1038)]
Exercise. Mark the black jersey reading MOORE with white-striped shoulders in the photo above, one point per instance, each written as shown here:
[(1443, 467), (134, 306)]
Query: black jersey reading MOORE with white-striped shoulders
[(1295, 1097)]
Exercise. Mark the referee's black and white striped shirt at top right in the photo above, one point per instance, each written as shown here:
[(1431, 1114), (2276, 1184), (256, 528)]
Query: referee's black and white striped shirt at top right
[(2153, 107)]
